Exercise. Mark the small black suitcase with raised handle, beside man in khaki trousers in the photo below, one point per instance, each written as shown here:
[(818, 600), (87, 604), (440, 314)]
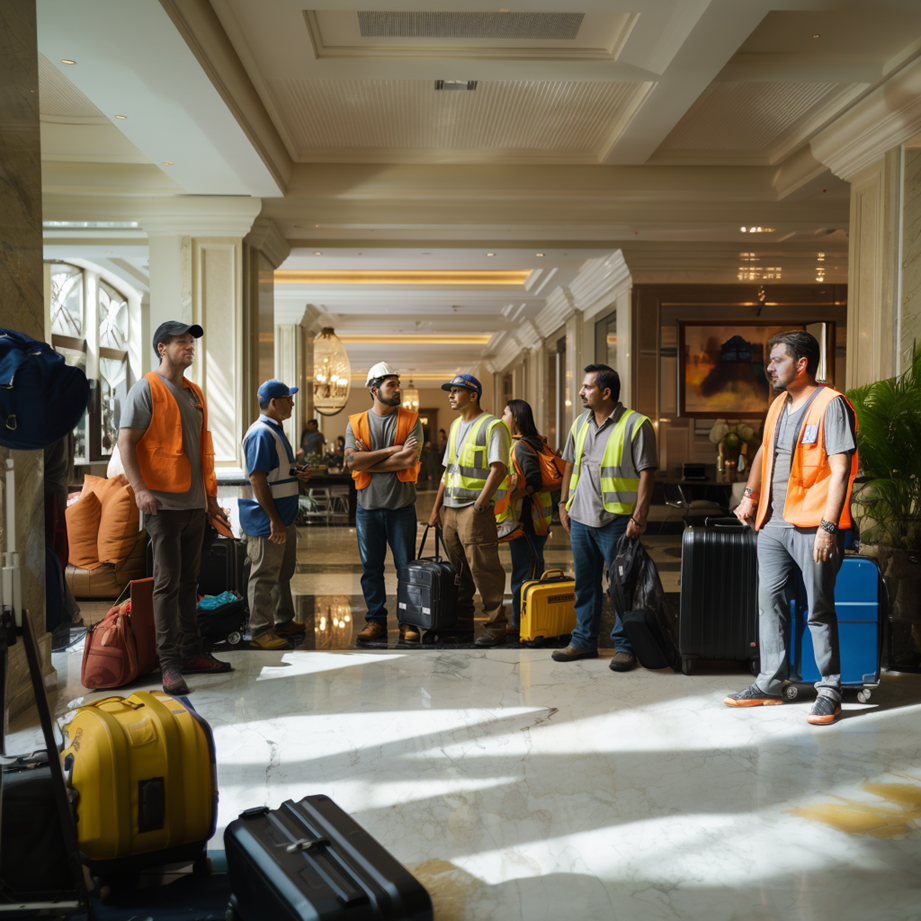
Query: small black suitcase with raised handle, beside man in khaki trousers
[(427, 592)]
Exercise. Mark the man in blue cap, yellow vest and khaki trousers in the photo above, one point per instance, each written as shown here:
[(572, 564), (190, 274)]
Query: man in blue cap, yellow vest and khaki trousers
[(476, 476)]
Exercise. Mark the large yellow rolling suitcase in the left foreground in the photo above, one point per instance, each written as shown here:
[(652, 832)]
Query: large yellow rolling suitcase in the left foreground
[(144, 772)]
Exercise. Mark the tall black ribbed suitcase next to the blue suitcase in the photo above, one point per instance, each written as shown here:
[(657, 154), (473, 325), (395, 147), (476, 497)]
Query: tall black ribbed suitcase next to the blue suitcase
[(719, 593)]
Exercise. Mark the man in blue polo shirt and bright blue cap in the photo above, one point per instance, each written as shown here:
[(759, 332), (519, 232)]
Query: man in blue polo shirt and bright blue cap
[(267, 519)]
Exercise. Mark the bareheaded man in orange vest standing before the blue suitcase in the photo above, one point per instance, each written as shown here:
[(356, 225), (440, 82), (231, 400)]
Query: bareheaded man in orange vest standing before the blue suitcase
[(798, 495)]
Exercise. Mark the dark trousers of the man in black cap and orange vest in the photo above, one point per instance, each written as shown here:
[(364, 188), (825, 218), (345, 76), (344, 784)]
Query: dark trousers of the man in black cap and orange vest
[(176, 539)]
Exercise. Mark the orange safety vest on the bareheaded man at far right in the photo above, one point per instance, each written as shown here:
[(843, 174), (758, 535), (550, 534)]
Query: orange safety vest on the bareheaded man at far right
[(810, 473)]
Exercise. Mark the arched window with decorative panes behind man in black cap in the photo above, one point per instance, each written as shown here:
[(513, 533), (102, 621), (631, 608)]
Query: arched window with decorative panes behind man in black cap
[(90, 328)]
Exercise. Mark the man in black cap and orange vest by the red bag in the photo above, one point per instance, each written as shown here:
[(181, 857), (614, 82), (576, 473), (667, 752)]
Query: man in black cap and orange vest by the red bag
[(166, 450)]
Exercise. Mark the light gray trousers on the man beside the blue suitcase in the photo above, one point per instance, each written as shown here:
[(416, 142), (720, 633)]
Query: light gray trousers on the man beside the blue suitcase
[(781, 552)]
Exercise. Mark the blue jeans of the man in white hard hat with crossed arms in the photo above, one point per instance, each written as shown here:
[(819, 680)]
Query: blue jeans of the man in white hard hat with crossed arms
[(376, 529)]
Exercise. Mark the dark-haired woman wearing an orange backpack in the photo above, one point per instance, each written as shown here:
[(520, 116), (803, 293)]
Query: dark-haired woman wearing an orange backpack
[(535, 476)]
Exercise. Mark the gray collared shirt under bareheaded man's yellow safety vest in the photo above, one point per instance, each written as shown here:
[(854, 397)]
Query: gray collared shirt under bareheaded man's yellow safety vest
[(587, 505)]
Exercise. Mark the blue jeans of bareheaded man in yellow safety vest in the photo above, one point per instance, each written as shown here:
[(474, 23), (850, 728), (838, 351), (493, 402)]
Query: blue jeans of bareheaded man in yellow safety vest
[(591, 549)]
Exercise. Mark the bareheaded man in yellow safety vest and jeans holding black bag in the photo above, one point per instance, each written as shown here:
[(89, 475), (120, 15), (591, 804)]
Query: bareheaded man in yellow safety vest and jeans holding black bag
[(607, 487)]
